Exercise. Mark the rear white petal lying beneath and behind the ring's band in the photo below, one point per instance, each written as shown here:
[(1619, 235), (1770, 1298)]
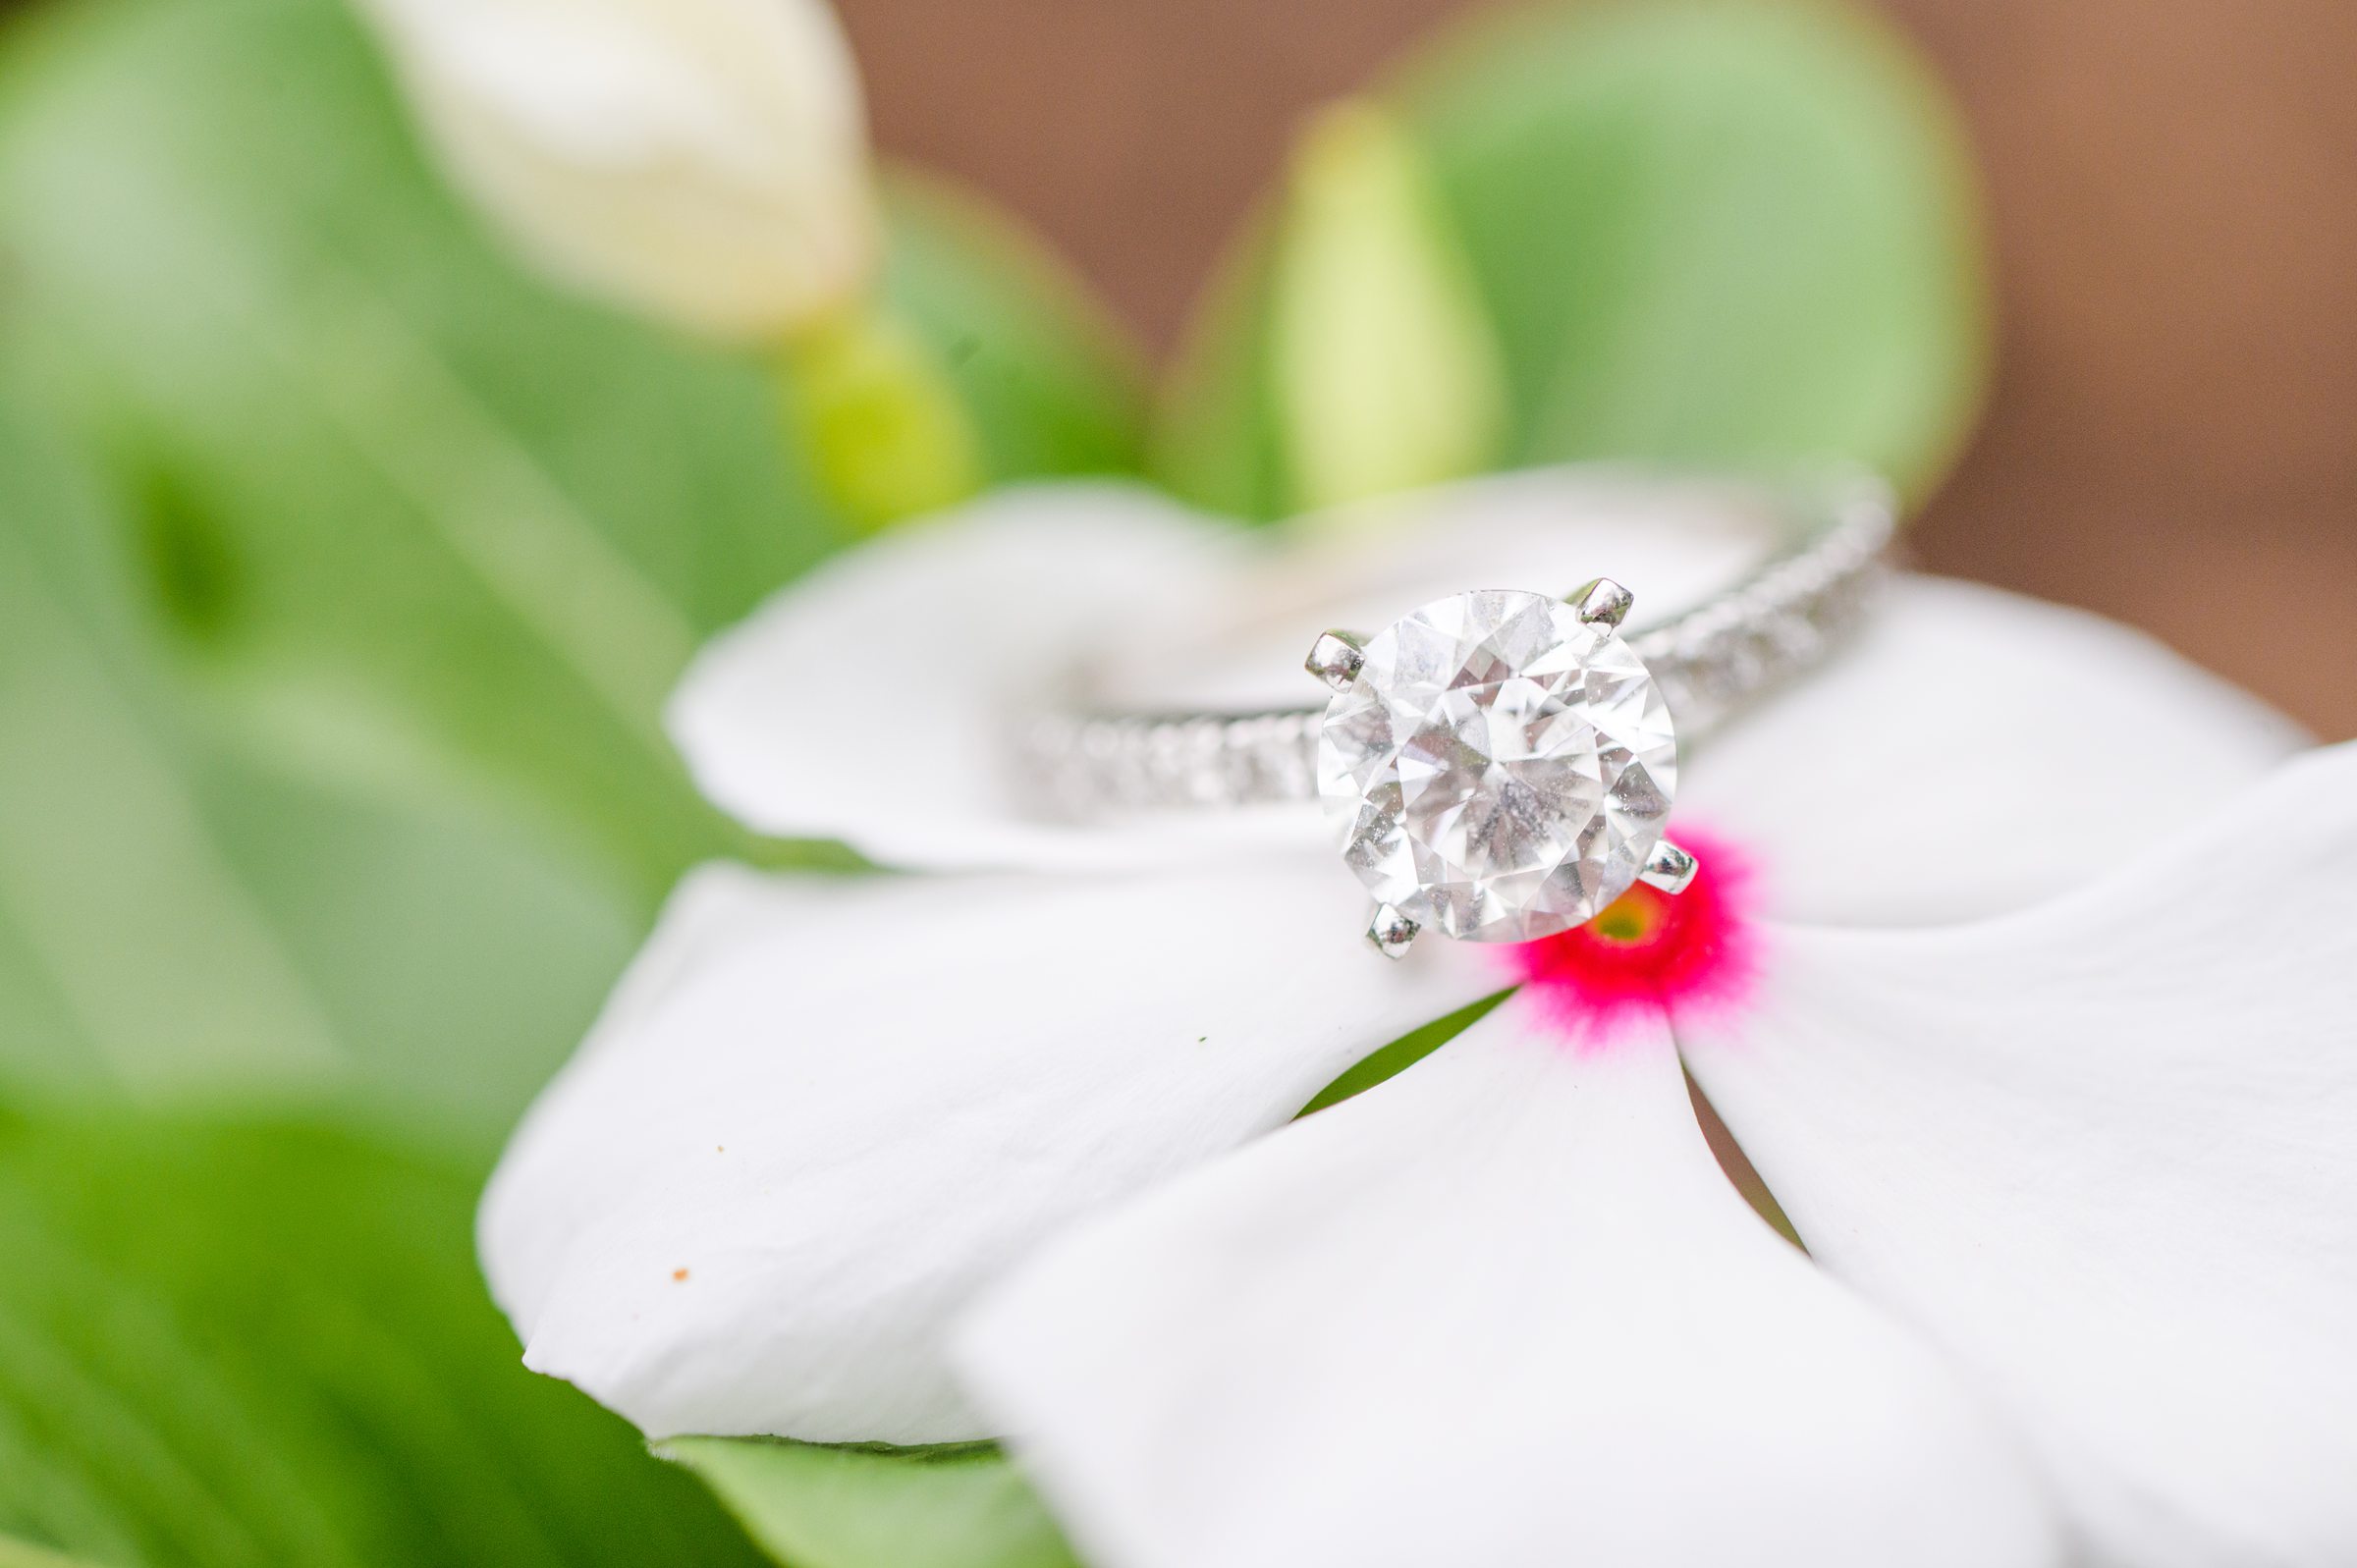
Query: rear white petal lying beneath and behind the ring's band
[(878, 699)]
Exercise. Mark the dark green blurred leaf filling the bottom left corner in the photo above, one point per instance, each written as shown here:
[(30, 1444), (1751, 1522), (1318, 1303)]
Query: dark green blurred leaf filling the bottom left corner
[(232, 1343)]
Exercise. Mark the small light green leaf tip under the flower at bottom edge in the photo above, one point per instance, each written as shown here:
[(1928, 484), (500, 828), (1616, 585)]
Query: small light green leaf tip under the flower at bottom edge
[(880, 1508)]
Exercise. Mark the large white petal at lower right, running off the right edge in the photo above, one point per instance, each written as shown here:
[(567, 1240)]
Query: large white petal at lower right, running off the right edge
[(2106, 1152)]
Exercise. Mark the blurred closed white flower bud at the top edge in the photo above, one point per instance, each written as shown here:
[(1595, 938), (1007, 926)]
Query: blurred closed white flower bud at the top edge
[(694, 159)]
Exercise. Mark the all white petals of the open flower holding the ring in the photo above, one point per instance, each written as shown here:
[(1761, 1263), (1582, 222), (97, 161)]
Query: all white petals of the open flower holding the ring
[(2049, 1053)]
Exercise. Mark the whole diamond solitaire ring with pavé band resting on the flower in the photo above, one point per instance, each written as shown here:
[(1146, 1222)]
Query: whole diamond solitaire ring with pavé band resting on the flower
[(1500, 765)]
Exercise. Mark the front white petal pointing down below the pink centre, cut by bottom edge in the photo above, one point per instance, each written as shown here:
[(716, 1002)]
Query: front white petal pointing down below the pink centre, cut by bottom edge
[(1500, 1310)]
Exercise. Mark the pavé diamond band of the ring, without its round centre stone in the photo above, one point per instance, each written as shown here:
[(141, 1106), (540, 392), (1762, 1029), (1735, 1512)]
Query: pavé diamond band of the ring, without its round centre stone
[(1708, 664)]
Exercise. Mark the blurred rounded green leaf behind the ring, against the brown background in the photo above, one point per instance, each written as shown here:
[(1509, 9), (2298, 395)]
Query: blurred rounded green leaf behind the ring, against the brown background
[(1708, 232)]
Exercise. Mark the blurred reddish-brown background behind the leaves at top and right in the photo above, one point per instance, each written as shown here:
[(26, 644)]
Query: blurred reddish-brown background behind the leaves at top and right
[(2174, 197)]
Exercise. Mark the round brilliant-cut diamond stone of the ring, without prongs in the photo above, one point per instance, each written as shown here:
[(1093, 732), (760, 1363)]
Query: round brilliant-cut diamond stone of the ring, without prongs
[(1498, 770)]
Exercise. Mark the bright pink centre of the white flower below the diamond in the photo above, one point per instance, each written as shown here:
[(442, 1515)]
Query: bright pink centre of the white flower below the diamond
[(1651, 954)]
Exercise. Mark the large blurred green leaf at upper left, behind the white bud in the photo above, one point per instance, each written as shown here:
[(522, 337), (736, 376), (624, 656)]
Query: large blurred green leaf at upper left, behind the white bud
[(411, 515)]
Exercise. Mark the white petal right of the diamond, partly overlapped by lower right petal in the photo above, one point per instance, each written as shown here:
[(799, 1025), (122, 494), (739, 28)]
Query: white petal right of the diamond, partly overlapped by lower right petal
[(1974, 753)]
